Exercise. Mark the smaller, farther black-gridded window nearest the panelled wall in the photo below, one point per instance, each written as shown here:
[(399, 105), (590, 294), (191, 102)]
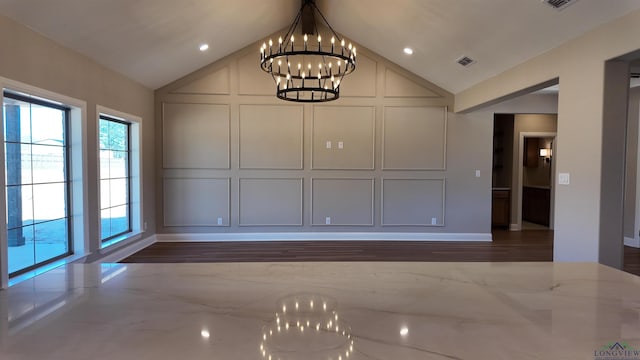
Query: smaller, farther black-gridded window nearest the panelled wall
[(115, 177)]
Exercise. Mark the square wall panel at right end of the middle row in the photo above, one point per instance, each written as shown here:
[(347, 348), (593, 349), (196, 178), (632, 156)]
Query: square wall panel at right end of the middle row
[(414, 138)]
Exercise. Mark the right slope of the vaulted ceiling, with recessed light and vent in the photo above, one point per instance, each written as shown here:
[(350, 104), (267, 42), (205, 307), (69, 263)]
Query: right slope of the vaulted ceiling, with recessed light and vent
[(497, 34)]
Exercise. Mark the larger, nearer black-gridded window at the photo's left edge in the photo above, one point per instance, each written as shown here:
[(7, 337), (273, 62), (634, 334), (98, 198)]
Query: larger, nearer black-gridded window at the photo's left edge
[(36, 181)]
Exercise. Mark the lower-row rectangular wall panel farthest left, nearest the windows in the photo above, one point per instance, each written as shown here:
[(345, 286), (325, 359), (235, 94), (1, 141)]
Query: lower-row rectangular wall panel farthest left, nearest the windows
[(196, 202)]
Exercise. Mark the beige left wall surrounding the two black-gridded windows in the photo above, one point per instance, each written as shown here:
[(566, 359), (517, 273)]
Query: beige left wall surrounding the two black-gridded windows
[(36, 61)]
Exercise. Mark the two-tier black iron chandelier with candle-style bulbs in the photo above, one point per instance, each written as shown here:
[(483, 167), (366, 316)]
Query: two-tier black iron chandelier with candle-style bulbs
[(306, 69)]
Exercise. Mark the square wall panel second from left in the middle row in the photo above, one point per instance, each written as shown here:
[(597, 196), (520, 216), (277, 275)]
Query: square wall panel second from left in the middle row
[(271, 136)]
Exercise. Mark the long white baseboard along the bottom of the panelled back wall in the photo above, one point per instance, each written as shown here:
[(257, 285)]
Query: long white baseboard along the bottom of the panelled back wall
[(374, 236)]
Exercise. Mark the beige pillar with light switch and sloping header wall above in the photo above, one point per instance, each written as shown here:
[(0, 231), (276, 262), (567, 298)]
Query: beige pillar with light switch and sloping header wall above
[(579, 65)]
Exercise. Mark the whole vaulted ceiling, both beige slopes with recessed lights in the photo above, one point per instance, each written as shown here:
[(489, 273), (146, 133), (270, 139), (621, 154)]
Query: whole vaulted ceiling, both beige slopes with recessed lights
[(156, 41)]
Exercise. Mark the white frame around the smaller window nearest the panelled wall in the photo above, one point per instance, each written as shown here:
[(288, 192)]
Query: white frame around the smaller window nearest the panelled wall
[(135, 182)]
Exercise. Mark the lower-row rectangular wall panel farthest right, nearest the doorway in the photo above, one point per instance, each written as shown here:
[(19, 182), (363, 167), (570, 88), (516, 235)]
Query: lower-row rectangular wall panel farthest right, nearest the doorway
[(408, 202)]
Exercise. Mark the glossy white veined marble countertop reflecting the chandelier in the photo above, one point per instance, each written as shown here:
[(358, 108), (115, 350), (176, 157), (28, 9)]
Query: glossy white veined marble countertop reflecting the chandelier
[(366, 310)]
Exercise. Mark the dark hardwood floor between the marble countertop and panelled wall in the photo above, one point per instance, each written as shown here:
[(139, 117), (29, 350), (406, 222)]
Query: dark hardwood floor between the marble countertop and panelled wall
[(507, 246)]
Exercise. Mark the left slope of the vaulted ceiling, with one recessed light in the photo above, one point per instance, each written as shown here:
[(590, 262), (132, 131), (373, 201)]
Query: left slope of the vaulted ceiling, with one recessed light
[(153, 42)]
